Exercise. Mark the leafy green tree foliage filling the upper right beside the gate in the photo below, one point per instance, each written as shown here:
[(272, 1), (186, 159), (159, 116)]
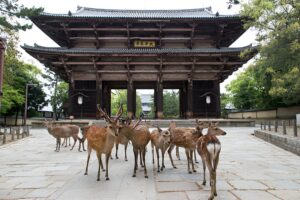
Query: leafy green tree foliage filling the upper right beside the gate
[(273, 80)]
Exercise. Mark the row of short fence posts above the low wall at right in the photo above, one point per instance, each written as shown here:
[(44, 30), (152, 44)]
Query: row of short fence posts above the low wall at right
[(286, 127)]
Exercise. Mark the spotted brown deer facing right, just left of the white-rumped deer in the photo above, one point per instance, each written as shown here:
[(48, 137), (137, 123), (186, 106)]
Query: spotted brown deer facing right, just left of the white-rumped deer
[(187, 139)]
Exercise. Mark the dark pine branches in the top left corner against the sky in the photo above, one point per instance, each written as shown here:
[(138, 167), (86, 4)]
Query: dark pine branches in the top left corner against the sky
[(10, 11)]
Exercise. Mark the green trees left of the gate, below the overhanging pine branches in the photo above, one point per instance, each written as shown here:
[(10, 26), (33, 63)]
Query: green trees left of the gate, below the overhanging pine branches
[(17, 75)]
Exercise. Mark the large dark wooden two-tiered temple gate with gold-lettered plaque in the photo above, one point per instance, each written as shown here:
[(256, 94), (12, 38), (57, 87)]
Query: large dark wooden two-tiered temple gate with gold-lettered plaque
[(101, 50)]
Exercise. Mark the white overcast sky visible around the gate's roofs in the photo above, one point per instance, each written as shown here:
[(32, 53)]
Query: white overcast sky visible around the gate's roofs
[(63, 6)]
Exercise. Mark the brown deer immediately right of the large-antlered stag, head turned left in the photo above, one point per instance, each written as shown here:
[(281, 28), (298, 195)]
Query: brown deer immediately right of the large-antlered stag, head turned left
[(139, 136)]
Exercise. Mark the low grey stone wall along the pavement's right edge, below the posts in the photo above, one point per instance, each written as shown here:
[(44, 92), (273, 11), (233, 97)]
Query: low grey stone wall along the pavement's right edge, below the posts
[(288, 143)]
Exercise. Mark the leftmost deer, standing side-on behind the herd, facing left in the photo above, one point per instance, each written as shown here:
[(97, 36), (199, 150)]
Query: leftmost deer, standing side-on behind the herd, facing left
[(62, 131)]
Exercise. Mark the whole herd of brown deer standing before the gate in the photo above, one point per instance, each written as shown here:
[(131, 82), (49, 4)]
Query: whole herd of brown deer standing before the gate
[(102, 140)]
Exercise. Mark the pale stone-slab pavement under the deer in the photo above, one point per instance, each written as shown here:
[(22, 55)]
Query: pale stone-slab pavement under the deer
[(249, 168)]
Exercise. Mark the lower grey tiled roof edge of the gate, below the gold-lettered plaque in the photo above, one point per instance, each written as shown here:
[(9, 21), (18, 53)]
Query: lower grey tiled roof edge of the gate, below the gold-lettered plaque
[(63, 50)]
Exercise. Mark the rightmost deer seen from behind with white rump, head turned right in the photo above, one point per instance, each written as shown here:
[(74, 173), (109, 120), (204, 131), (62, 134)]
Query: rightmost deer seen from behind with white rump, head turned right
[(209, 148)]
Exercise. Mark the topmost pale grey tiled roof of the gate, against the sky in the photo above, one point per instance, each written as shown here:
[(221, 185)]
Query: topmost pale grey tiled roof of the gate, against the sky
[(199, 13)]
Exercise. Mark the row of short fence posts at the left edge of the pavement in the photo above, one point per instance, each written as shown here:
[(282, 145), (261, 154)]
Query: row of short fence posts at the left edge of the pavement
[(11, 133)]
